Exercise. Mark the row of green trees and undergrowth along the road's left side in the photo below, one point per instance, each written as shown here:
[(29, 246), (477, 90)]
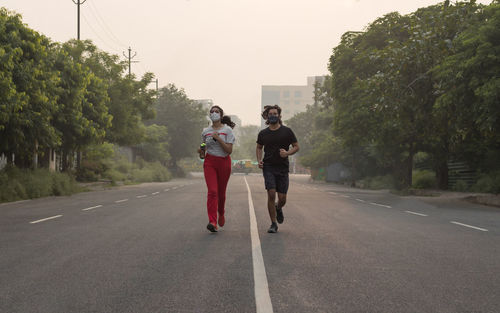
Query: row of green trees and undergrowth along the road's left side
[(70, 112)]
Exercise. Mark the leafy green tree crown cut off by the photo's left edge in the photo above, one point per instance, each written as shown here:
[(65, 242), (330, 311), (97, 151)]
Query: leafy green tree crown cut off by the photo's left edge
[(28, 94)]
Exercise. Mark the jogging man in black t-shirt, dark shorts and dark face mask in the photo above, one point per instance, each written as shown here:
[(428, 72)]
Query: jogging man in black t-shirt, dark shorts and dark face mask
[(276, 140)]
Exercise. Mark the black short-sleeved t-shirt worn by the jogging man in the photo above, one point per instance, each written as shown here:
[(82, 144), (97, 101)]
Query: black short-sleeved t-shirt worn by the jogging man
[(273, 141)]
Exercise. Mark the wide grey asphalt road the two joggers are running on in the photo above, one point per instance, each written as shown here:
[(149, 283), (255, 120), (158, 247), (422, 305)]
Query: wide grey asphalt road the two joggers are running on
[(145, 248)]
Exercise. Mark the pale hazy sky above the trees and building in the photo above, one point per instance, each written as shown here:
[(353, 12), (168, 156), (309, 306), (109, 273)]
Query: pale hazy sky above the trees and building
[(223, 50)]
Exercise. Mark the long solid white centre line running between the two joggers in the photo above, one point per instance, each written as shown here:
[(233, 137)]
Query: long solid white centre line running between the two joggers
[(262, 298)]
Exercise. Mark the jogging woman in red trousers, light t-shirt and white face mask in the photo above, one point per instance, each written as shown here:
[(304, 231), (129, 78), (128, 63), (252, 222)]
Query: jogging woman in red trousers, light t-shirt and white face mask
[(218, 139)]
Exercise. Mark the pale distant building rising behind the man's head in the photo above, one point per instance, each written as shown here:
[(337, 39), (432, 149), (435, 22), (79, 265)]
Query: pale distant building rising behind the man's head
[(291, 99)]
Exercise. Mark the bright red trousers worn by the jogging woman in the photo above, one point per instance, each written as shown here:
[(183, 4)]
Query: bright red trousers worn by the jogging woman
[(217, 171)]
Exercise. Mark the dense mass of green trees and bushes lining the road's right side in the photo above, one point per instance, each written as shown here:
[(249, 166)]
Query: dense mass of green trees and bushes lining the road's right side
[(413, 101)]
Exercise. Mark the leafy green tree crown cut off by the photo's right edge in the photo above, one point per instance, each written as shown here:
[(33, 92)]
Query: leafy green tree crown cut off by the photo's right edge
[(469, 91)]
